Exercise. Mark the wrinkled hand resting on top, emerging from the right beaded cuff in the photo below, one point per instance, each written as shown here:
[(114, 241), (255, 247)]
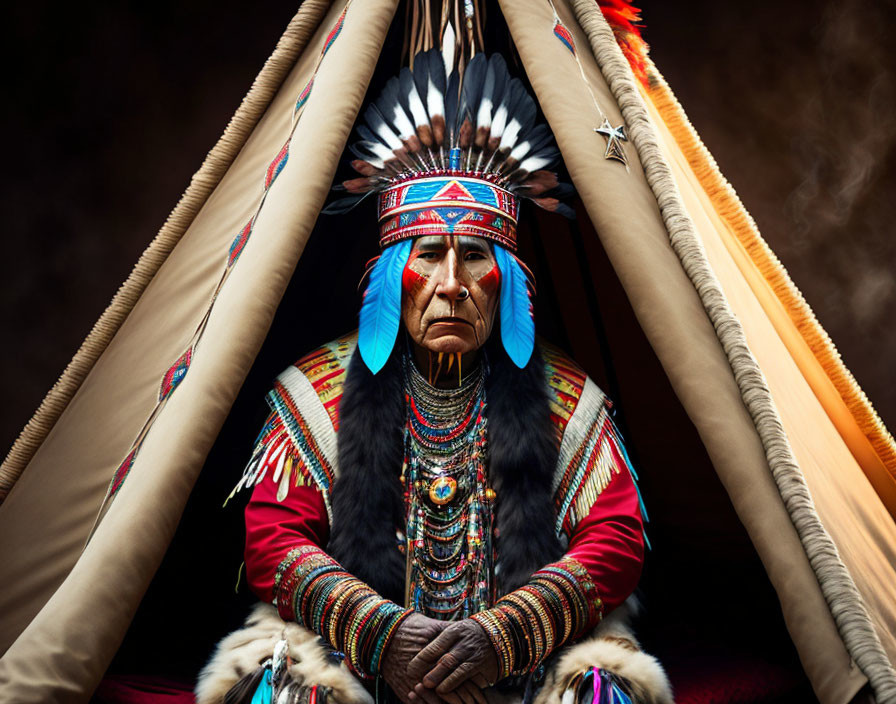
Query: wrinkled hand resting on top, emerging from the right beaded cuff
[(455, 667)]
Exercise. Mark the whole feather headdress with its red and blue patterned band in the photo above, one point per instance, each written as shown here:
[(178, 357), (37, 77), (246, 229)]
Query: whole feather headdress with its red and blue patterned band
[(430, 124)]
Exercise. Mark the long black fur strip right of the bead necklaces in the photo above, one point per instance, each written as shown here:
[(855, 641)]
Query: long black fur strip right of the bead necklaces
[(523, 454)]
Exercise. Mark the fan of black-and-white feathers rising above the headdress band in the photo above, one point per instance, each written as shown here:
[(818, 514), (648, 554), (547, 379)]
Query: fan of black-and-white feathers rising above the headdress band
[(421, 116)]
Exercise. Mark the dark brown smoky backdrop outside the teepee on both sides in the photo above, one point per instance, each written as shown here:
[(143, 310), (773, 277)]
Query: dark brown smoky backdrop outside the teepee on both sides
[(110, 108)]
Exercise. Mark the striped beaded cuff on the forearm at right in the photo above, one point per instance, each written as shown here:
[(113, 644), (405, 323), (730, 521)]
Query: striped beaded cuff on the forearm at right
[(556, 606)]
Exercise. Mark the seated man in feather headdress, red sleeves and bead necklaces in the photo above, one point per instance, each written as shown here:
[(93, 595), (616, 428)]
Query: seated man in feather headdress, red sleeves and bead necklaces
[(444, 509)]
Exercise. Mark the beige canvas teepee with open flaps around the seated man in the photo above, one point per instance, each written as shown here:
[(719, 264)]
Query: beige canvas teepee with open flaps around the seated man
[(94, 488)]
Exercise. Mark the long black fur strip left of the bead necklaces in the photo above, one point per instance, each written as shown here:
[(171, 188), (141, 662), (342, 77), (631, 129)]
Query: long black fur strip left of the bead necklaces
[(367, 497)]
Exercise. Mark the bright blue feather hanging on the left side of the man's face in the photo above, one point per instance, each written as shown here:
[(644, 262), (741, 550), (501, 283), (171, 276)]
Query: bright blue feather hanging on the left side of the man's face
[(381, 310)]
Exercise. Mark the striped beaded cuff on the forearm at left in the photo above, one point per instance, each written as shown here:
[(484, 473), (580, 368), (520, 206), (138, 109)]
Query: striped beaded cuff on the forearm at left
[(313, 589)]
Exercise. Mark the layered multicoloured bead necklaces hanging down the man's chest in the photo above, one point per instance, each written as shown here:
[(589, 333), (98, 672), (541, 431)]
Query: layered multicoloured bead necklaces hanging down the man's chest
[(449, 504)]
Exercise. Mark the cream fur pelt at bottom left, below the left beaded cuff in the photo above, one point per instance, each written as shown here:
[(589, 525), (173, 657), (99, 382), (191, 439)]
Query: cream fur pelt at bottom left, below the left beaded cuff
[(238, 656)]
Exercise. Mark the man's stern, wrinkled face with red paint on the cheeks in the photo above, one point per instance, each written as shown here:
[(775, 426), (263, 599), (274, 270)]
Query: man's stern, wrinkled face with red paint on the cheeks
[(450, 293)]
